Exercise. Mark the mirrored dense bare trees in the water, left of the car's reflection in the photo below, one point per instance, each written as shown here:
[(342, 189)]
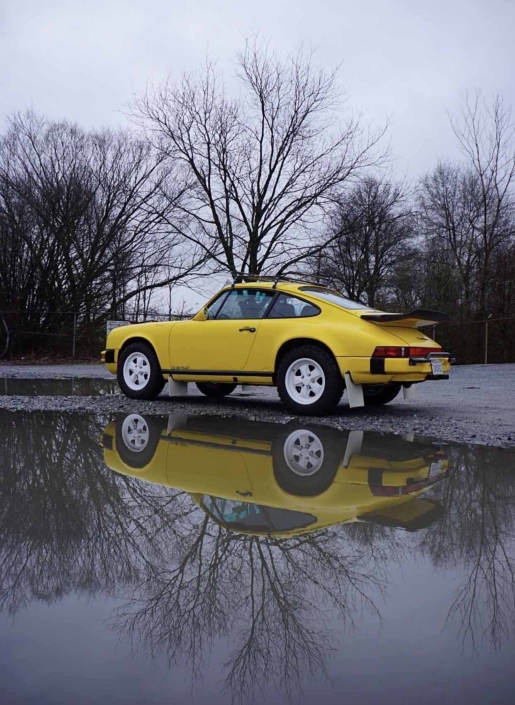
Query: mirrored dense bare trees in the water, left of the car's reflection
[(66, 522)]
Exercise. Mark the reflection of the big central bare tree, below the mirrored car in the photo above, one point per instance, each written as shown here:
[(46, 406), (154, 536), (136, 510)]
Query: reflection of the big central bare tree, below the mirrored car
[(271, 597)]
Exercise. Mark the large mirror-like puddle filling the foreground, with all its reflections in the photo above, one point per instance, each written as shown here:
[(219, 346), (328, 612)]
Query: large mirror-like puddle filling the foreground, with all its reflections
[(208, 560)]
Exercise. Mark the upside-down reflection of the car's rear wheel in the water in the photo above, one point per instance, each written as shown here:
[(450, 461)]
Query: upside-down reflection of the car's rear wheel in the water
[(306, 458)]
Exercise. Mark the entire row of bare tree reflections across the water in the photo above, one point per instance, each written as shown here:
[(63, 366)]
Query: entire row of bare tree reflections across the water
[(68, 524)]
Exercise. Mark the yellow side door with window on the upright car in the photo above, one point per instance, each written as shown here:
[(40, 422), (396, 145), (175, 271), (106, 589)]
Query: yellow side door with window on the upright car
[(224, 340)]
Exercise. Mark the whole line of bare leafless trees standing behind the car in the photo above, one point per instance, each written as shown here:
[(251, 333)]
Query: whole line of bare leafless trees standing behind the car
[(282, 179)]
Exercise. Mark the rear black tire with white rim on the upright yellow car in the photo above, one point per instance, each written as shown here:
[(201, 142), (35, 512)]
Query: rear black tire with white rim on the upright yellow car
[(320, 385)]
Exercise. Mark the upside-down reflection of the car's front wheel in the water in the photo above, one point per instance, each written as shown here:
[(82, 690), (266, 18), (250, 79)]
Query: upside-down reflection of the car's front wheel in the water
[(137, 438)]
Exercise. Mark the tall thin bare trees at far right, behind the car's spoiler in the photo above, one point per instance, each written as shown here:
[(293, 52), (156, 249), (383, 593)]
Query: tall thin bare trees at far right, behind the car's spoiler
[(467, 219)]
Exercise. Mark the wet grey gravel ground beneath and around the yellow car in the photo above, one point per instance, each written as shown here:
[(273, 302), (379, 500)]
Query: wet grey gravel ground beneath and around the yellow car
[(477, 405)]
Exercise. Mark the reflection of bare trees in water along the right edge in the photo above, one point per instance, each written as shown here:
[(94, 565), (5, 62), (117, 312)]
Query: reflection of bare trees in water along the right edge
[(477, 534)]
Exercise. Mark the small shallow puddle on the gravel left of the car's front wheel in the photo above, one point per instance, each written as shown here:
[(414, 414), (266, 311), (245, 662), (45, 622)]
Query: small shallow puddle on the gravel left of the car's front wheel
[(75, 386)]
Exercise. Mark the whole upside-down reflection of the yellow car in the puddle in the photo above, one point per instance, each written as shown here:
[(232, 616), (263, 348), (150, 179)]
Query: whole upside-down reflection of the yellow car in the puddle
[(278, 479)]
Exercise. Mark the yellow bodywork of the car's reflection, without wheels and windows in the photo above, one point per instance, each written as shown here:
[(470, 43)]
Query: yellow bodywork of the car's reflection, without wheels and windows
[(223, 465)]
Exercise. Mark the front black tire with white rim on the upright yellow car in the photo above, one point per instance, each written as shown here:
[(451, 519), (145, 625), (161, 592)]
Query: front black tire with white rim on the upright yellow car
[(138, 372)]
